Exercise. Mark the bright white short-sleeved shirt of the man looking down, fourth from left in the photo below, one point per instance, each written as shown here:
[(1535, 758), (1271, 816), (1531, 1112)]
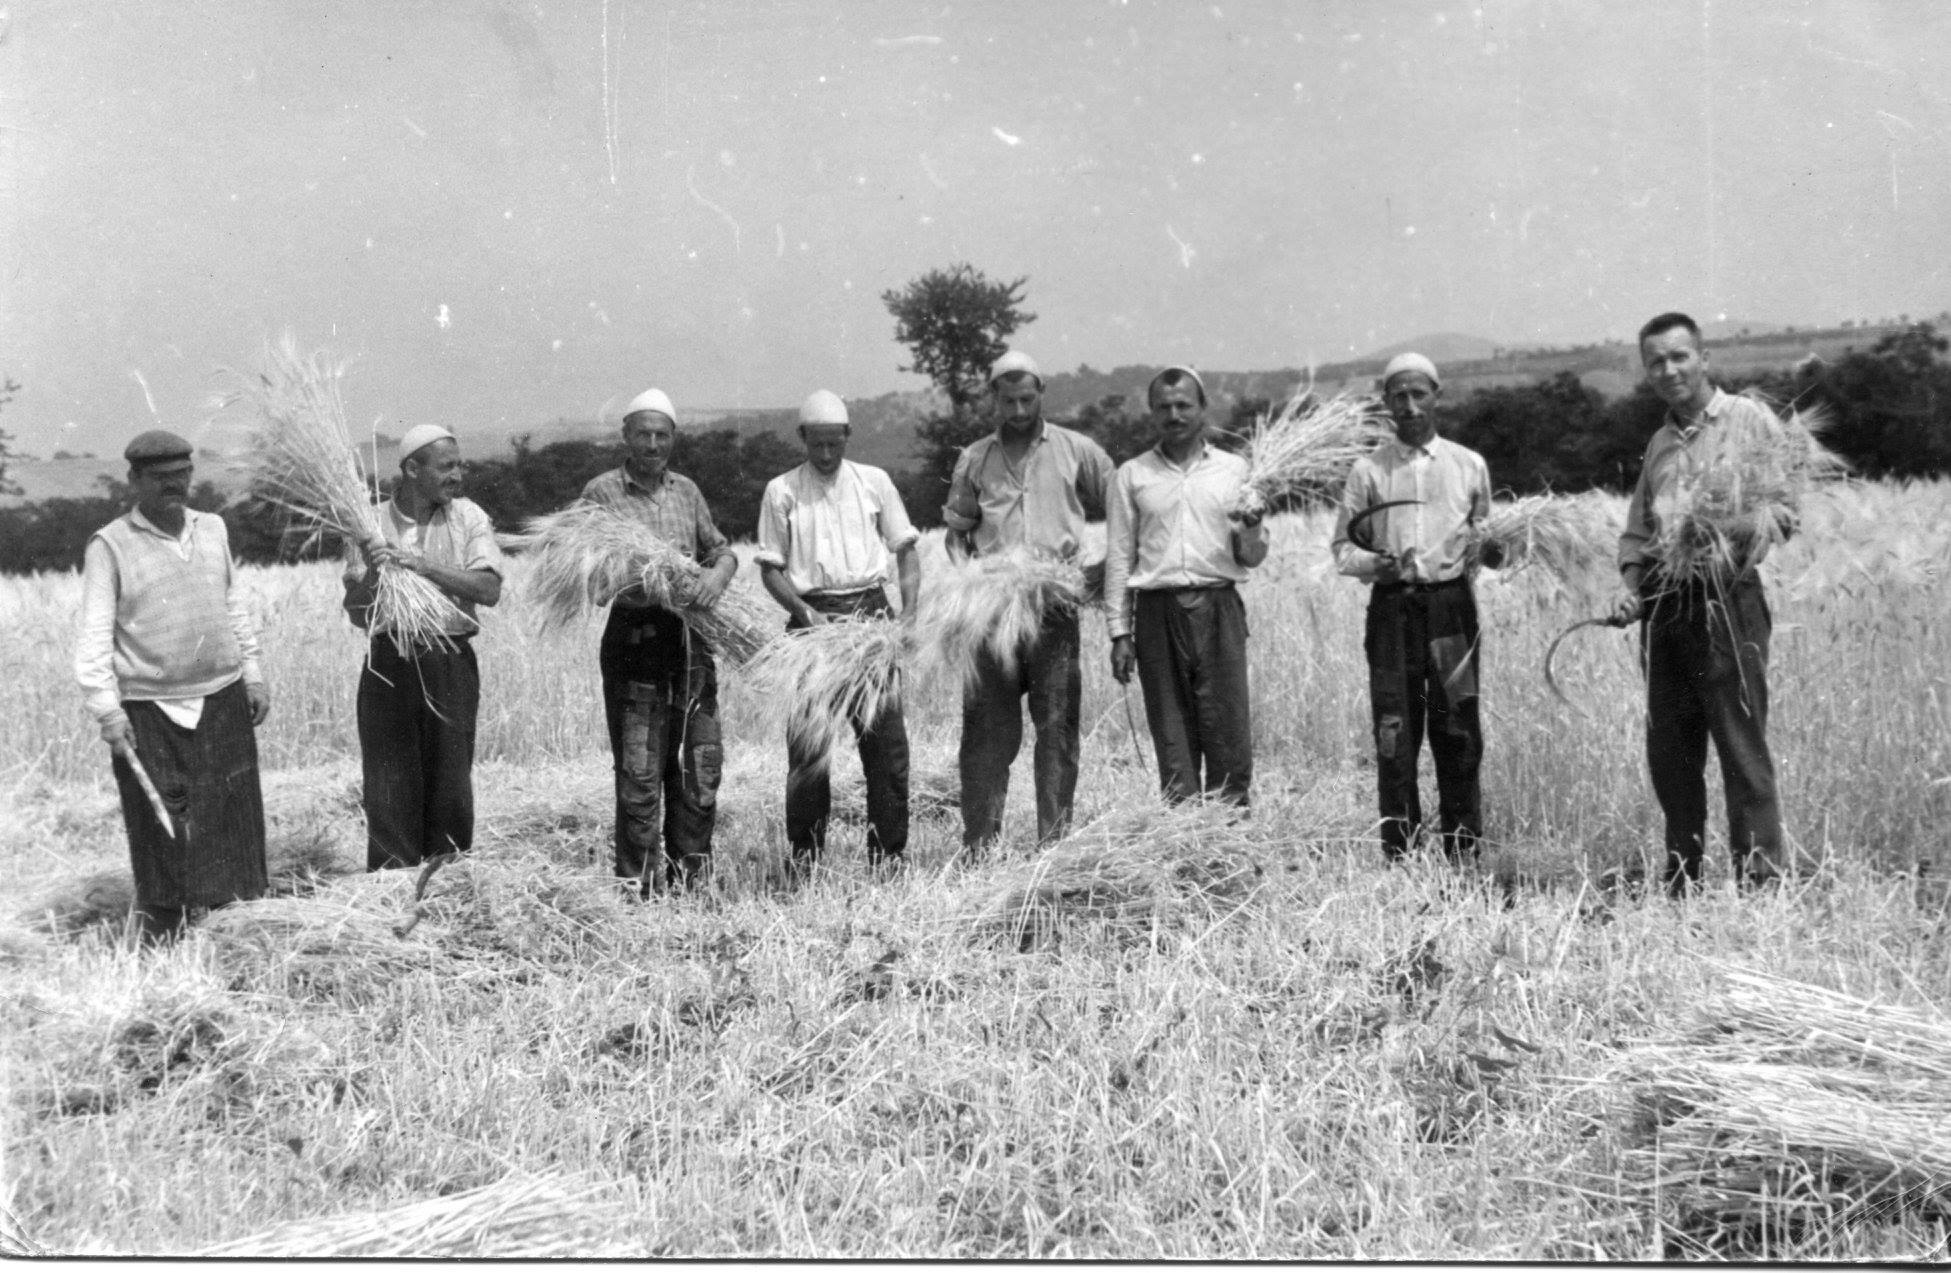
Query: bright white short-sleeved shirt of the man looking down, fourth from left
[(834, 534)]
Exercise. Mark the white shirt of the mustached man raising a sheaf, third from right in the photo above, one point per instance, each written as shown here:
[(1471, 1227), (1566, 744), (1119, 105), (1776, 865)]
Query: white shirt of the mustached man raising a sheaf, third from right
[(1168, 528)]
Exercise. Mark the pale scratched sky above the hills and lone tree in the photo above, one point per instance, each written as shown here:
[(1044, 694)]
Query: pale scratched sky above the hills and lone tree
[(518, 210)]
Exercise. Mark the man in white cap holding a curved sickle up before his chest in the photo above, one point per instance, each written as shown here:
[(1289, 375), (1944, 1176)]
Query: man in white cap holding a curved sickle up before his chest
[(1423, 643)]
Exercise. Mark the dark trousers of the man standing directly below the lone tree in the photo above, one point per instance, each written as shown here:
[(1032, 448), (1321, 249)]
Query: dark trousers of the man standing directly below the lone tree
[(992, 733)]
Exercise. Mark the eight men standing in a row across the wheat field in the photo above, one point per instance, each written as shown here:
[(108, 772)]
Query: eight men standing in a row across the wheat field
[(169, 659)]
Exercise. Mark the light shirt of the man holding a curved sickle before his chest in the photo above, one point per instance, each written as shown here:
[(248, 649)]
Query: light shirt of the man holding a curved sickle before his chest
[(1453, 491)]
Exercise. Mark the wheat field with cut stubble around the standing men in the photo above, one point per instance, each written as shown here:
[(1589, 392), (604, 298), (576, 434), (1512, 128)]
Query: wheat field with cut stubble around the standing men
[(1166, 1038)]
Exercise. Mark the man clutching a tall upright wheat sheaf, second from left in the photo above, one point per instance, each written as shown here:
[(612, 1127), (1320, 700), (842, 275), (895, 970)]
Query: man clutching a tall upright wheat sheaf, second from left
[(418, 706)]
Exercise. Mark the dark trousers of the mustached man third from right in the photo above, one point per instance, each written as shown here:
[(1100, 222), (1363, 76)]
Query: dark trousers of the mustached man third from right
[(1193, 669)]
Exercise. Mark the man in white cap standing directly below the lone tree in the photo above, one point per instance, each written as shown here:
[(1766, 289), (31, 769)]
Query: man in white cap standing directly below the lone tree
[(1025, 487)]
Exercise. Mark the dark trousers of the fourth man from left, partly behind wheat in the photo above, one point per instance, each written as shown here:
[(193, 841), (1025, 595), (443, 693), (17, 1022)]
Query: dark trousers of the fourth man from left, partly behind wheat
[(883, 762)]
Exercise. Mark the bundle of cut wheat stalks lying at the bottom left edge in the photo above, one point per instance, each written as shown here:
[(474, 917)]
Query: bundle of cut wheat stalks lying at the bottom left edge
[(520, 1217)]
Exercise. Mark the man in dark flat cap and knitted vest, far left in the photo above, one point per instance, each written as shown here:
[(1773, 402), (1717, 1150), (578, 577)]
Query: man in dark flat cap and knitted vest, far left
[(169, 665)]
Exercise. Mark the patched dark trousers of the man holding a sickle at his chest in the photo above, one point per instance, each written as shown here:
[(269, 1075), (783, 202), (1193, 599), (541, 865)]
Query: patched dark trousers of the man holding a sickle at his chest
[(1423, 678)]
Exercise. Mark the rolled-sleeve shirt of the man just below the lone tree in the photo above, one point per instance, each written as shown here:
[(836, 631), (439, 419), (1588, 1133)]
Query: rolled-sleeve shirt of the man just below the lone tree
[(1033, 505)]
